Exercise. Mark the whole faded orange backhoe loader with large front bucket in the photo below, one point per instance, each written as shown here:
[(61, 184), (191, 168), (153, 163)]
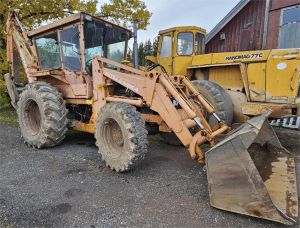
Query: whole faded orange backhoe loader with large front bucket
[(76, 81)]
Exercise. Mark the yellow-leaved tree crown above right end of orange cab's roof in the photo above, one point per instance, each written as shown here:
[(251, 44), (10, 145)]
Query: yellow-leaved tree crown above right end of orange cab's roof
[(127, 11)]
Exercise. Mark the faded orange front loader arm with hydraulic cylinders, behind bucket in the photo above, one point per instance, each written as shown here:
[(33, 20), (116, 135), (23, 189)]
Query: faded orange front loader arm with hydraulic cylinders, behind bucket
[(157, 91)]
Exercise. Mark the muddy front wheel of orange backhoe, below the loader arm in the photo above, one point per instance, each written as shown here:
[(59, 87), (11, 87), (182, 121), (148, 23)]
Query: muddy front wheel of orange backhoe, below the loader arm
[(121, 136)]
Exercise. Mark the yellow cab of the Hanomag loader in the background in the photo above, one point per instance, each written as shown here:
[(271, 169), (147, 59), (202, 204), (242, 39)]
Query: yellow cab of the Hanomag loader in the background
[(177, 46)]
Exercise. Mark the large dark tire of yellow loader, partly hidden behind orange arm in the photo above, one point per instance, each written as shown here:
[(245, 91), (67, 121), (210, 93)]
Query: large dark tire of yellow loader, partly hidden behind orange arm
[(218, 98)]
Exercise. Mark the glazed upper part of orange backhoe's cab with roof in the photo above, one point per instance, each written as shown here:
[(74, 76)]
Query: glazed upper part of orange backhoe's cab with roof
[(71, 43)]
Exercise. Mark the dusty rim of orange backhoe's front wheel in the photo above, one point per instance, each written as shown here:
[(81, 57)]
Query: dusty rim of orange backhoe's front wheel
[(113, 137)]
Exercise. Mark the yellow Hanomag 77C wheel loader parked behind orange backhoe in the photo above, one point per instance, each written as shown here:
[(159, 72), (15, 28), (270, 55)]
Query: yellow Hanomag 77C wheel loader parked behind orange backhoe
[(255, 80)]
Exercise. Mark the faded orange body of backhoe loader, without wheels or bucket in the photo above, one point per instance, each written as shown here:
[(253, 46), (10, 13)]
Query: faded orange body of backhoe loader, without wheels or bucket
[(61, 60)]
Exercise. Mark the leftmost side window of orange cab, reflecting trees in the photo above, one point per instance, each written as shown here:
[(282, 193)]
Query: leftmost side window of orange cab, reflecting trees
[(48, 51)]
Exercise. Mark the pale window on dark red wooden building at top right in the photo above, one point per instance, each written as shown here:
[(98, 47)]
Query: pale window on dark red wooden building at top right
[(289, 36)]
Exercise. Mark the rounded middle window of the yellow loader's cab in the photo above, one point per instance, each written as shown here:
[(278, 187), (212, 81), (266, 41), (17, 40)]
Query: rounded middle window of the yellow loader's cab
[(185, 43)]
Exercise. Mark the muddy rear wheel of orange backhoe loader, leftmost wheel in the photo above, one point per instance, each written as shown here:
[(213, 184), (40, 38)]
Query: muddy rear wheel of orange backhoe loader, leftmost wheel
[(42, 115)]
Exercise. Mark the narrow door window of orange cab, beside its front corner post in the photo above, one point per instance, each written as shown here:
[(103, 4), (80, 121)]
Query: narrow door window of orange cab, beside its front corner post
[(70, 48)]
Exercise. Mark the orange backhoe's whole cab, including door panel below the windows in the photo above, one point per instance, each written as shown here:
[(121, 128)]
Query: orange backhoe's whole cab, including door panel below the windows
[(67, 47)]
